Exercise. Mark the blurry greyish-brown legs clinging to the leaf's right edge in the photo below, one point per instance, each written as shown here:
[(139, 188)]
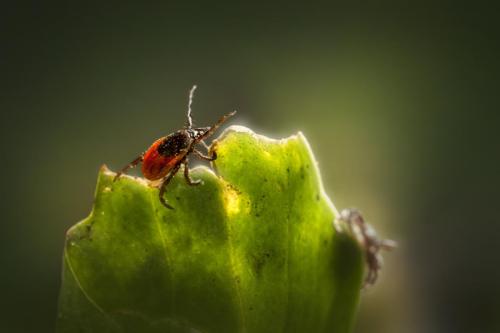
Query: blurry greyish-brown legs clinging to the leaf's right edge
[(369, 242)]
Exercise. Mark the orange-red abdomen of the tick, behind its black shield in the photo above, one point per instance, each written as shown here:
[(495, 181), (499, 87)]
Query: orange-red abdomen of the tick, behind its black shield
[(155, 165)]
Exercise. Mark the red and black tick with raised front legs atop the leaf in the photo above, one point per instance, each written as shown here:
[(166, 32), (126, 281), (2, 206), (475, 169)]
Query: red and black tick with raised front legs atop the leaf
[(163, 159)]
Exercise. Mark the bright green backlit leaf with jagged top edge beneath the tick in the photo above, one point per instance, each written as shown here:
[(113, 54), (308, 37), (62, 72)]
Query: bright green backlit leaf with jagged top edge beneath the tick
[(253, 249)]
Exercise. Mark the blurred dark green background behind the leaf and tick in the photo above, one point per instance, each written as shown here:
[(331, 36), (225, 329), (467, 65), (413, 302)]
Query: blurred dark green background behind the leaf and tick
[(400, 106)]
